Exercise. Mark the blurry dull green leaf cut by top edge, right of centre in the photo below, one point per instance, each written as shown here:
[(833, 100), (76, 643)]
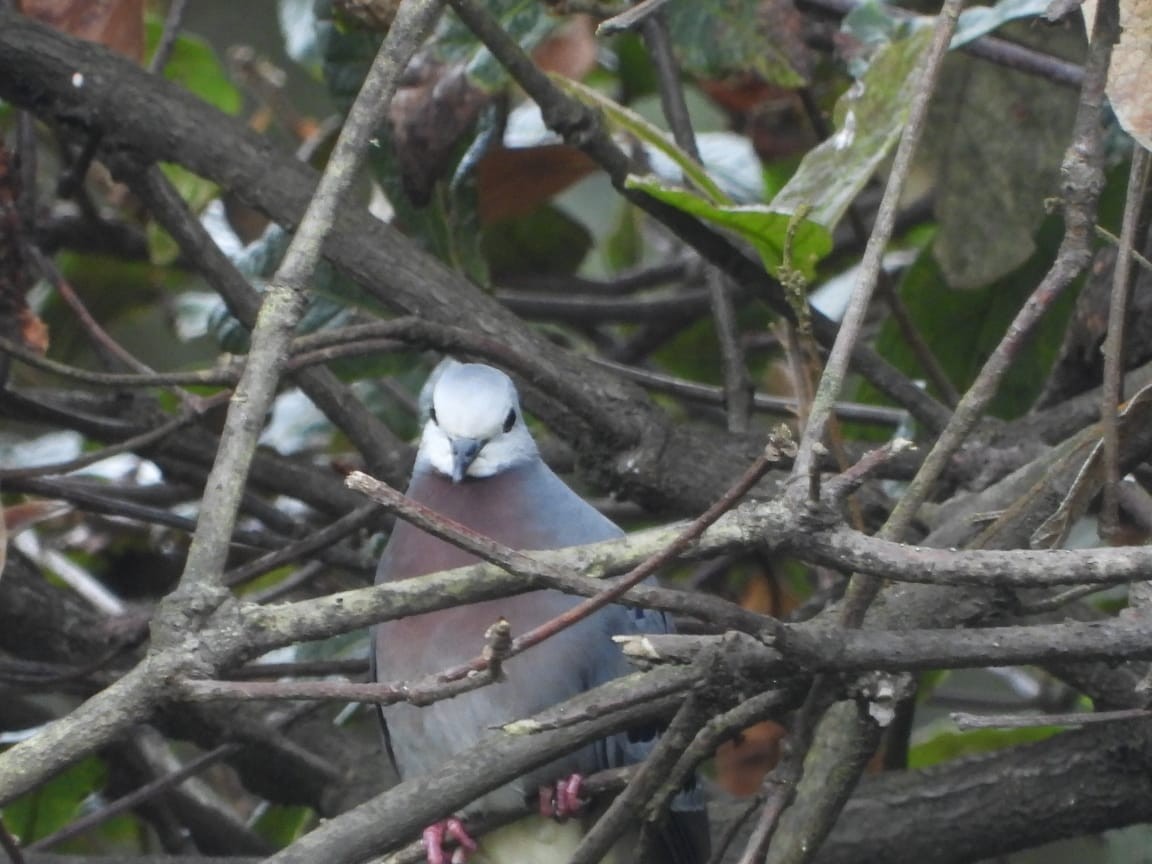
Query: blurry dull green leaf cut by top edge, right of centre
[(719, 37)]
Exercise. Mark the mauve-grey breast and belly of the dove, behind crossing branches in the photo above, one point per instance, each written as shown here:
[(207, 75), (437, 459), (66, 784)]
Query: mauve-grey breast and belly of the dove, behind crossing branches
[(529, 509)]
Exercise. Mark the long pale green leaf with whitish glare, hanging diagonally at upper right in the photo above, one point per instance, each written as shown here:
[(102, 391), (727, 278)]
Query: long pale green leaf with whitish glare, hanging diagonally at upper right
[(869, 120)]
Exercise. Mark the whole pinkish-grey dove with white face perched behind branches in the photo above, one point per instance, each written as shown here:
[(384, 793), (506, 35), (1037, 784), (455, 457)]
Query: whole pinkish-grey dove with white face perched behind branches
[(479, 465)]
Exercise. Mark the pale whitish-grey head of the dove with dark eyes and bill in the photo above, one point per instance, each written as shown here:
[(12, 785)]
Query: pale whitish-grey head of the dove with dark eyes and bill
[(475, 427)]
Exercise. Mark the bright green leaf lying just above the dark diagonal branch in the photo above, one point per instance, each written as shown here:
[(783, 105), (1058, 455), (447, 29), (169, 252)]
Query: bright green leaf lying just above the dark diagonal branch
[(757, 224)]
